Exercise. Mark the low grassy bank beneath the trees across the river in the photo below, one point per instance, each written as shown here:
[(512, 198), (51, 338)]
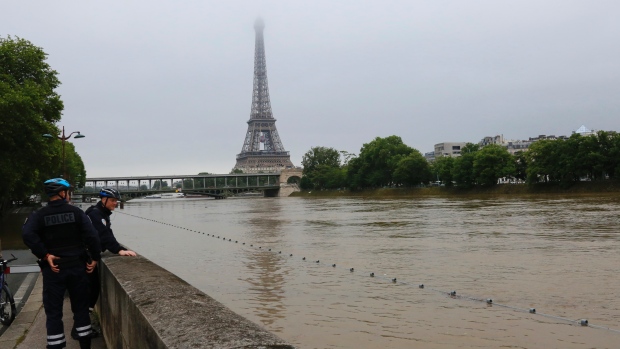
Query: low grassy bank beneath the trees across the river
[(581, 188)]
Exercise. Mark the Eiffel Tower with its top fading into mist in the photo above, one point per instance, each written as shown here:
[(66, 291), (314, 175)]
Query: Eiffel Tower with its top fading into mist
[(262, 149)]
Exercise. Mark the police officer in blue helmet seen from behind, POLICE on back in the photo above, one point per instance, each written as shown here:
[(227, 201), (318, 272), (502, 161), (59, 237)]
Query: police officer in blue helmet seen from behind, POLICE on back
[(58, 234)]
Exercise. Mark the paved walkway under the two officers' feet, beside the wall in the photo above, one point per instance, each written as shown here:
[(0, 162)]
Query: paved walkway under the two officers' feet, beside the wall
[(28, 329)]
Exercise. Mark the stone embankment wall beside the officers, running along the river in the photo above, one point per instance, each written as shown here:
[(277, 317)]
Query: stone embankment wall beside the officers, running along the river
[(144, 306)]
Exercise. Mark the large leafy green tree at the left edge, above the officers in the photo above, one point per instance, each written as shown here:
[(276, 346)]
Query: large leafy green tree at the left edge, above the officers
[(29, 107)]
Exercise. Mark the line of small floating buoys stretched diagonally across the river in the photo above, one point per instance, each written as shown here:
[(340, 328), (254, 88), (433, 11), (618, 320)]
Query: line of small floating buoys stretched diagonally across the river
[(452, 294)]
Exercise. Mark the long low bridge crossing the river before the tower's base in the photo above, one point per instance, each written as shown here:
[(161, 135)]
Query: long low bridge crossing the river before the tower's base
[(218, 186)]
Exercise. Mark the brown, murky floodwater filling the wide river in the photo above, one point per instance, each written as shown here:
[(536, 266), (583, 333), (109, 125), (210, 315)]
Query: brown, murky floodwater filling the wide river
[(559, 255)]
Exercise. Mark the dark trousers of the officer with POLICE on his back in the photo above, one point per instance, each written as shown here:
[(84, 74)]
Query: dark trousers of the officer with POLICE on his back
[(75, 281)]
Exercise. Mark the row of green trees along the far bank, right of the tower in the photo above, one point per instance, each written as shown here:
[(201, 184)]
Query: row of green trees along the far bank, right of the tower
[(547, 165)]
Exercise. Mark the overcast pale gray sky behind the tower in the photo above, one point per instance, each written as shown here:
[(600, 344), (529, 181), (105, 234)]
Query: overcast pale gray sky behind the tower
[(164, 87)]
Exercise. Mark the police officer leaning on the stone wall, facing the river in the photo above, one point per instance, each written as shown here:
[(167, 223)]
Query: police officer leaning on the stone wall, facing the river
[(100, 216)]
